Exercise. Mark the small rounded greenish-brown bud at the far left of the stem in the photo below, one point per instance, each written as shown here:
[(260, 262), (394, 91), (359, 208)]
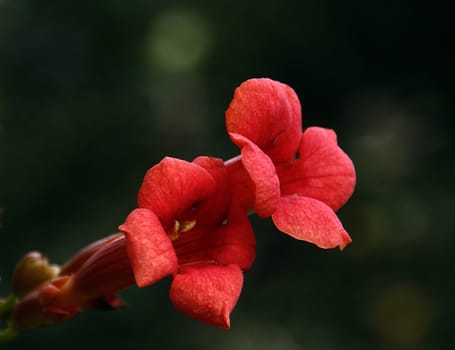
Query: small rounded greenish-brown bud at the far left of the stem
[(31, 270)]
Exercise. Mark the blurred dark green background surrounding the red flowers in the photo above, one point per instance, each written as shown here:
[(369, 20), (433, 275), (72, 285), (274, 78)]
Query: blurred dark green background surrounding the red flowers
[(94, 93)]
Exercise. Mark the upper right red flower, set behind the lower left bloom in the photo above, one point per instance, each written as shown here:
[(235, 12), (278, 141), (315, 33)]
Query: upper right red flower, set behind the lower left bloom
[(298, 178)]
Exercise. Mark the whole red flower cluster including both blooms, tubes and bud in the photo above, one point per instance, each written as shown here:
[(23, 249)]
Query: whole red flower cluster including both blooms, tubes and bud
[(191, 222)]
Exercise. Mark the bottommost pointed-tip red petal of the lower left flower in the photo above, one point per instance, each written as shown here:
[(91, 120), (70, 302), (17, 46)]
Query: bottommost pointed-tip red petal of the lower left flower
[(207, 293)]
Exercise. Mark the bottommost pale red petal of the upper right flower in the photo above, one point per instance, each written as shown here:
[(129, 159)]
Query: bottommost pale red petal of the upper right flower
[(310, 220)]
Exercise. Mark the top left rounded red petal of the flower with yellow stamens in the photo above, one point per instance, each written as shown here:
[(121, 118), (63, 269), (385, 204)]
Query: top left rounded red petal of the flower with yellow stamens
[(172, 187)]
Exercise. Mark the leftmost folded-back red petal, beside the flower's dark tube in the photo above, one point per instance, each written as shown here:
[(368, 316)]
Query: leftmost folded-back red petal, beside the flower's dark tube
[(149, 248)]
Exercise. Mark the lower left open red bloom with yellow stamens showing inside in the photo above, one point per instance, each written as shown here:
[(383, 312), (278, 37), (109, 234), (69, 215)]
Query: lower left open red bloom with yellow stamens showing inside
[(186, 226)]
